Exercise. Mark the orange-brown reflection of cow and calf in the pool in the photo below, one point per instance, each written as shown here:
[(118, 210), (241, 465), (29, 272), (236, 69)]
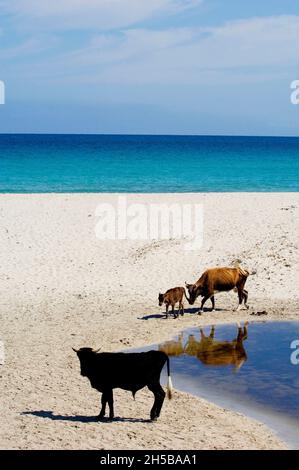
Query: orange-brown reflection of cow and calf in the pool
[(209, 351)]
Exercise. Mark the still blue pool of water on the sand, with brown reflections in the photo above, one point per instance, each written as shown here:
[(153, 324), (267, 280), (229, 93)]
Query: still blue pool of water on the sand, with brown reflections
[(249, 369)]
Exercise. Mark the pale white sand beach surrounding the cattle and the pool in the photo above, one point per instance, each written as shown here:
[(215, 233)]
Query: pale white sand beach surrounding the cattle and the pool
[(62, 287)]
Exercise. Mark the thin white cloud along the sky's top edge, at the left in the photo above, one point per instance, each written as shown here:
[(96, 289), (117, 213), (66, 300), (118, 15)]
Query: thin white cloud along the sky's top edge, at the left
[(86, 14)]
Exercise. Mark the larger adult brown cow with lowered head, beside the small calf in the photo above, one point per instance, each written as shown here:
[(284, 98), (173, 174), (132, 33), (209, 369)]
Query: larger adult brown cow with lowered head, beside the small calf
[(215, 280)]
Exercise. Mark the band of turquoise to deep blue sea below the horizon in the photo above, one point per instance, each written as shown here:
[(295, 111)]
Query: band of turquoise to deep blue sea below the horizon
[(99, 163)]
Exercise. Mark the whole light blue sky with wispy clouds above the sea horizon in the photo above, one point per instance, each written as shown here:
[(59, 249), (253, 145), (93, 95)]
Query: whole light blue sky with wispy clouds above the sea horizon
[(149, 66)]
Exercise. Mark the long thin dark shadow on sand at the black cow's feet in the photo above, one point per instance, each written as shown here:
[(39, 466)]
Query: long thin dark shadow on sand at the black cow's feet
[(82, 418)]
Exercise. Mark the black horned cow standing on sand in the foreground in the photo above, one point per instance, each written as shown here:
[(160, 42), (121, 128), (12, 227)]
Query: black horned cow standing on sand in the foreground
[(129, 371)]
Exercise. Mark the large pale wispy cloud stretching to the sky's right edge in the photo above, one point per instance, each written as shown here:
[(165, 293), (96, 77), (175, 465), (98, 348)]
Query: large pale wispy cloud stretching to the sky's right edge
[(183, 55)]
